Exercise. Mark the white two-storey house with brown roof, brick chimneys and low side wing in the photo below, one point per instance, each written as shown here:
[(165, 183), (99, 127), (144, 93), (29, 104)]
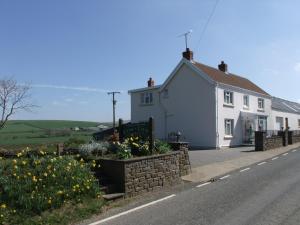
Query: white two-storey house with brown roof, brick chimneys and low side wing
[(211, 107)]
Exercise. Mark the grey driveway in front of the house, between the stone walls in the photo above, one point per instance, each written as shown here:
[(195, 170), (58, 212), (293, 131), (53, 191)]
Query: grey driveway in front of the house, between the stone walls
[(204, 157)]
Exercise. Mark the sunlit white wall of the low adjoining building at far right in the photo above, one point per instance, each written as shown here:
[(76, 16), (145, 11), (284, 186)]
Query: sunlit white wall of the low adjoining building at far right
[(292, 119)]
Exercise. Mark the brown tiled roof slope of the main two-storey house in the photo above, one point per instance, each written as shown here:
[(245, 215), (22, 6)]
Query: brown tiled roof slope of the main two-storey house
[(229, 78)]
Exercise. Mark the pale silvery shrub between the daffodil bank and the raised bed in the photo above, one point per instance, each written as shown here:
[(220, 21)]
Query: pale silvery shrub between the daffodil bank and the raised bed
[(93, 148)]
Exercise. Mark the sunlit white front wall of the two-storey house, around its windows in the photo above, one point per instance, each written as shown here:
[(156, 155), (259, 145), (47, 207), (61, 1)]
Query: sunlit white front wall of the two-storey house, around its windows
[(226, 112)]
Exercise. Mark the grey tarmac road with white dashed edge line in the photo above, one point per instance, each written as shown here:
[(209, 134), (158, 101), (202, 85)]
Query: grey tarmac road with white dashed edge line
[(266, 193)]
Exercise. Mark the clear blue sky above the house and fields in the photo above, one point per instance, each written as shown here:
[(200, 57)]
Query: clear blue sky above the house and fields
[(73, 51)]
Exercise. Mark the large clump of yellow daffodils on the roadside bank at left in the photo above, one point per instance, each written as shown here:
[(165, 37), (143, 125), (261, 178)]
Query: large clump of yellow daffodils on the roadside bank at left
[(33, 184)]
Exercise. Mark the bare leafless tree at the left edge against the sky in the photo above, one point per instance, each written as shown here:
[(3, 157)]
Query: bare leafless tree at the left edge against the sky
[(13, 98)]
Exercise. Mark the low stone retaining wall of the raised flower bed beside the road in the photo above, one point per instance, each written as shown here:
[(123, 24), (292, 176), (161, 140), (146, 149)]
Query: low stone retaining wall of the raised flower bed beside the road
[(144, 174)]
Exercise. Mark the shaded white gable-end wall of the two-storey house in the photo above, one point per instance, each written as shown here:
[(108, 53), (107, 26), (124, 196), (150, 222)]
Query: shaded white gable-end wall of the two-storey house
[(191, 107)]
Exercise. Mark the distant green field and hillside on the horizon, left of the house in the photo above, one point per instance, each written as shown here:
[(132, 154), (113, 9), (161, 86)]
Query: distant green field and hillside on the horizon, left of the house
[(39, 132)]
